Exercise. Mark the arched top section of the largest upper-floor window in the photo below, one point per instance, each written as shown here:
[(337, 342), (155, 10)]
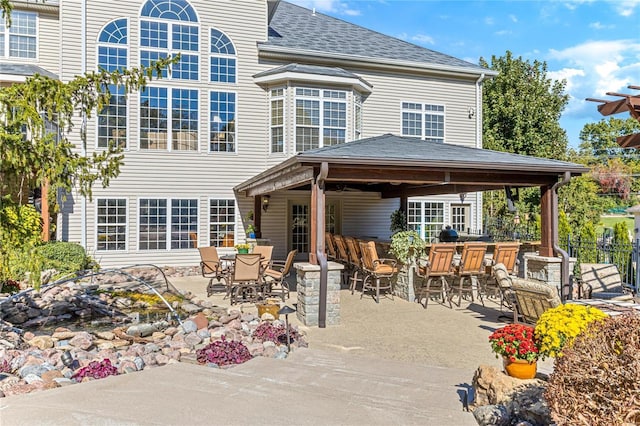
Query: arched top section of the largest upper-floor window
[(161, 36)]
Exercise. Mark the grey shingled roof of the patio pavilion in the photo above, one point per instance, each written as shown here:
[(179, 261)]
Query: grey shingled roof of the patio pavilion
[(390, 148)]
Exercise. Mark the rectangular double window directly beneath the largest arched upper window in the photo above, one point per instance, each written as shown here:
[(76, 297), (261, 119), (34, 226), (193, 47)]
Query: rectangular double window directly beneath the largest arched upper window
[(157, 131)]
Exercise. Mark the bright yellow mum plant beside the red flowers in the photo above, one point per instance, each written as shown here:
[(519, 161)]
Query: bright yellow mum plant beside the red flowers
[(557, 327)]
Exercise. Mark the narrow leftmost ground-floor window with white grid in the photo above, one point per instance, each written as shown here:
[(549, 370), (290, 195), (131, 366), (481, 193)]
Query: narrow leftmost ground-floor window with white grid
[(111, 224)]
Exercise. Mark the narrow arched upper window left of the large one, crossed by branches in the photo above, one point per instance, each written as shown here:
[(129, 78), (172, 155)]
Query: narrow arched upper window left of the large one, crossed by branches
[(113, 56)]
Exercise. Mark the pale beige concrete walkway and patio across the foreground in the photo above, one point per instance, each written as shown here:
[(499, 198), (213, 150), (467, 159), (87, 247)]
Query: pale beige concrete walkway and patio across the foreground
[(387, 363)]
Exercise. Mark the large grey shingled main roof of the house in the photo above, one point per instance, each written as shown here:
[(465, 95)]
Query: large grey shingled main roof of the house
[(297, 28)]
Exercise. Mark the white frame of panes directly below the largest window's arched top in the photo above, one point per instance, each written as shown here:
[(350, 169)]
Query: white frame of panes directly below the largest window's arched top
[(169, 51)]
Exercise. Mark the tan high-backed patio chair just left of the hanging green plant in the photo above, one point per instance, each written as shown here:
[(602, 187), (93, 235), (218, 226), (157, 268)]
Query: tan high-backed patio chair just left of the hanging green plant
[(377, 270)]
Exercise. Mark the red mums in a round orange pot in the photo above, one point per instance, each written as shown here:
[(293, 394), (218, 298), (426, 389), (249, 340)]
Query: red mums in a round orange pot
[(517, 345)]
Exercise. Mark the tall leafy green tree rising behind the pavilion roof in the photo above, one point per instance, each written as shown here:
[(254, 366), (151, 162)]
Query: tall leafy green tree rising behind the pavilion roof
[(522, 107)]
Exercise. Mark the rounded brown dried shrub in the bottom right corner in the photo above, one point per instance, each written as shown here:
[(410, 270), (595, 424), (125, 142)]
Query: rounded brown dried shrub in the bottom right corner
[(597, 381)]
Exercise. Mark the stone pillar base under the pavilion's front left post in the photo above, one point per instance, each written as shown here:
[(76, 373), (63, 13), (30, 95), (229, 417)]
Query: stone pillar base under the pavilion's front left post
[(308, 289)]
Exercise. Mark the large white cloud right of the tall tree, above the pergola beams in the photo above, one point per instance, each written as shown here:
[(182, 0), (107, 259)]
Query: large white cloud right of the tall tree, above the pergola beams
[(594, 68)]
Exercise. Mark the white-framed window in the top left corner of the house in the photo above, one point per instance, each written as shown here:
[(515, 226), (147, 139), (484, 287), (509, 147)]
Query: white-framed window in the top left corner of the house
[(20, 41)]
